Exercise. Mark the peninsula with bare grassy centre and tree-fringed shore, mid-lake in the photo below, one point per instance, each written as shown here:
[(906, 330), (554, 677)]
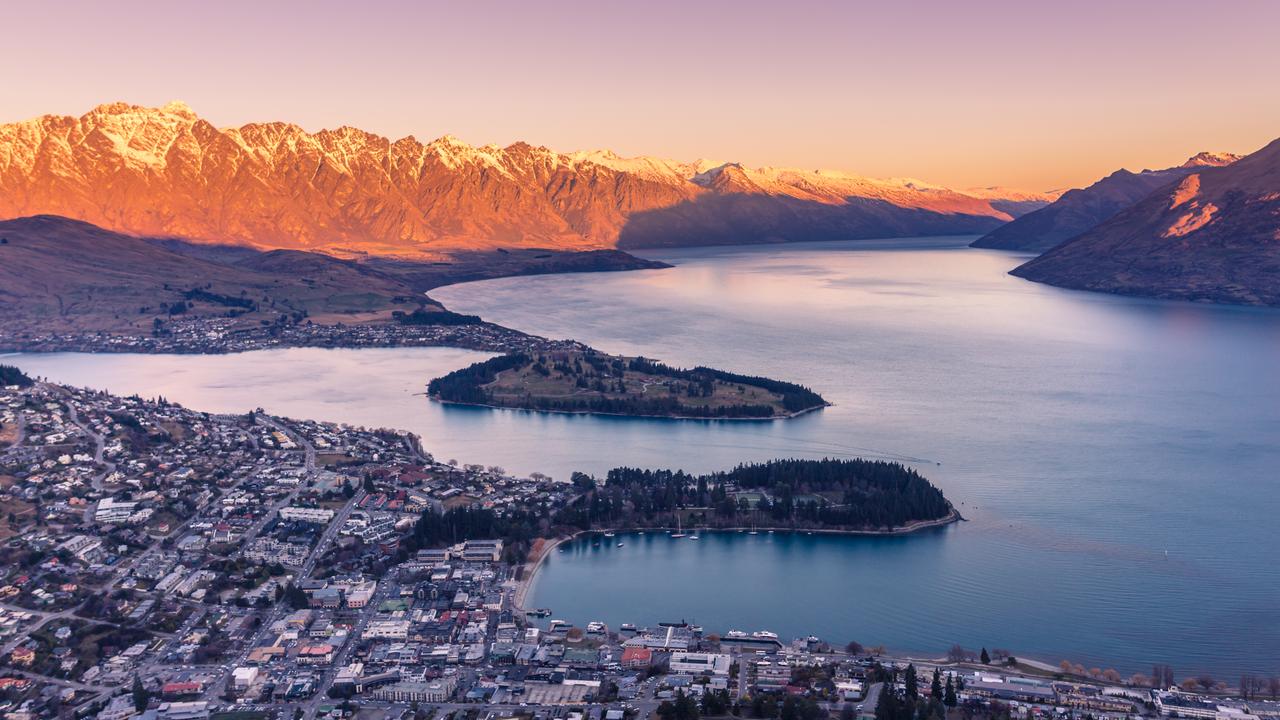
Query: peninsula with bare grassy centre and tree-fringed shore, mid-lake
[(588, 381)]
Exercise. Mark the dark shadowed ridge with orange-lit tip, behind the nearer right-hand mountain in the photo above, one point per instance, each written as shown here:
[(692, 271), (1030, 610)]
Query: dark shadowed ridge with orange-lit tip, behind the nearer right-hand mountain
[(1078, 211)]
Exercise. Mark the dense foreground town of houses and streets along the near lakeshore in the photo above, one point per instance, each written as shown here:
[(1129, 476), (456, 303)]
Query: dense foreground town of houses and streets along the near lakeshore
[(173, 564)]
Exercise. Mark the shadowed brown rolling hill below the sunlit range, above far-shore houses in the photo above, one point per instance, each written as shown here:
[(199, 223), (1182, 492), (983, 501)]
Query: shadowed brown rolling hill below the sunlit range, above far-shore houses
[(76, 275)]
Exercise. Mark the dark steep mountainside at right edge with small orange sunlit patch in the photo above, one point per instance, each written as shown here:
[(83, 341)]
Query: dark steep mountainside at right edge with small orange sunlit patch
[(1213, 236)]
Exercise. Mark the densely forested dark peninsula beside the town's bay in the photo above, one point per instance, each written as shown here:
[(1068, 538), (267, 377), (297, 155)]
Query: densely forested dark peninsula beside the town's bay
[(845, 496)]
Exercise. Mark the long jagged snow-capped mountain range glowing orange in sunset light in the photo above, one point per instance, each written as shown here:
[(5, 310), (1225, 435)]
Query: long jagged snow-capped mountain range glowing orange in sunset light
[(168, 174)]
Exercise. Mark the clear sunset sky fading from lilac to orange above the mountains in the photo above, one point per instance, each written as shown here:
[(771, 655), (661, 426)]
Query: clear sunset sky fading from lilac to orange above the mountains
[(1022, 94)]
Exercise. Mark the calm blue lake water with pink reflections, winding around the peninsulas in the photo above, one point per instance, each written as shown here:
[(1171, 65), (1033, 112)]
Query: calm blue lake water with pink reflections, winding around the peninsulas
[(1118, 461)]
